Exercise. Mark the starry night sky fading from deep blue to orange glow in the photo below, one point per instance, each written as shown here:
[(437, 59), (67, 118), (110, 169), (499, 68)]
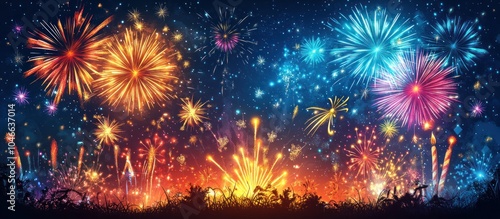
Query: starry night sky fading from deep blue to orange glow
[(267, 77)]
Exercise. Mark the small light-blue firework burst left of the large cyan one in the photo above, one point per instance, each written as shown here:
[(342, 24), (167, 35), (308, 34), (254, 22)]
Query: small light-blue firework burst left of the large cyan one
[(312, 51)]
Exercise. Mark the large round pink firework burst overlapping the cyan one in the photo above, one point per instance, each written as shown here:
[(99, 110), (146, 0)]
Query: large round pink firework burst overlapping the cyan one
[(416, 89)]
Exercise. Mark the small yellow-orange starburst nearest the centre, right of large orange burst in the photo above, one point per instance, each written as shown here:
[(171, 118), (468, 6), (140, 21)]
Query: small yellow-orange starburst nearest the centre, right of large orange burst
[(192, 114)]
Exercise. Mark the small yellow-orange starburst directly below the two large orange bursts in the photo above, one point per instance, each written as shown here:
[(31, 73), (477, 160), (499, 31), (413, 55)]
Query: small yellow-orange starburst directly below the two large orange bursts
[(107, 132)]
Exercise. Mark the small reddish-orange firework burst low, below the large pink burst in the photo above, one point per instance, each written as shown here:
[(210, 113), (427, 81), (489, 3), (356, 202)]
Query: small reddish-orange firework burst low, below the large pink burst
[(364, 155)]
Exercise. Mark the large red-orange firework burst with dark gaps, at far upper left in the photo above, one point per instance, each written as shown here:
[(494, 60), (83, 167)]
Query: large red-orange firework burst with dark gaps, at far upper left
[(66, 56)]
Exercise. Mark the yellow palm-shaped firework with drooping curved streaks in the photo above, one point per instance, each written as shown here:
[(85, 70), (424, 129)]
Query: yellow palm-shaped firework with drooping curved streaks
[(322, 115)]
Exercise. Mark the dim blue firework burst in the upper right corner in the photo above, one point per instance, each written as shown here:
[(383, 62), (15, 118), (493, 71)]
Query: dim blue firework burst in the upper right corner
[(457, 42)]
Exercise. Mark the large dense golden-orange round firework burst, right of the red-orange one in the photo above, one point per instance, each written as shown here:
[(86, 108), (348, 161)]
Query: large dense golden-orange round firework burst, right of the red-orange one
[(136, 73)]
